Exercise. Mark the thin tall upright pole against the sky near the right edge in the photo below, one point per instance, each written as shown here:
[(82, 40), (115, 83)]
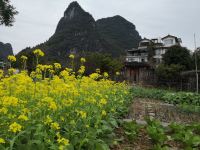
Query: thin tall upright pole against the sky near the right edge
[(196, 66)]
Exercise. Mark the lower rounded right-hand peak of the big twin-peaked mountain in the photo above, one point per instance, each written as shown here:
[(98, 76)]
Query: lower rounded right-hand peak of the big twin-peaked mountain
[(119, 32)]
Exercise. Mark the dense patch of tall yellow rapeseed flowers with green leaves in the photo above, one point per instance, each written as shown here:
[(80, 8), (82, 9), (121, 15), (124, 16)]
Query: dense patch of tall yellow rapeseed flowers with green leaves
[(54, 109)]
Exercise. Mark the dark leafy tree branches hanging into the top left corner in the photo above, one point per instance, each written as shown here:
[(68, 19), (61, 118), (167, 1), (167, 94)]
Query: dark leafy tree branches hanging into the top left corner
[(7, 13)]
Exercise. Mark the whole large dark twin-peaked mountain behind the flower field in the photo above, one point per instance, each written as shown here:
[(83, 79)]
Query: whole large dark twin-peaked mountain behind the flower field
[(78, 32)]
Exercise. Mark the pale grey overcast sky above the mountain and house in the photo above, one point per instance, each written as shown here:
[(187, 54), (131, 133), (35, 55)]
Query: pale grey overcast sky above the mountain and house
[(37, 19)]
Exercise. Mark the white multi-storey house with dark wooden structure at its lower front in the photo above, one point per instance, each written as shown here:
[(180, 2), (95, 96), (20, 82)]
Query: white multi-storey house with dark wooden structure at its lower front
[(140, 62)]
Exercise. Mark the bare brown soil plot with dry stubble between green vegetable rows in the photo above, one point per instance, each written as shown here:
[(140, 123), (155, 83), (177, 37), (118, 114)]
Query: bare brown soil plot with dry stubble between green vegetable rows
[(164, 112)]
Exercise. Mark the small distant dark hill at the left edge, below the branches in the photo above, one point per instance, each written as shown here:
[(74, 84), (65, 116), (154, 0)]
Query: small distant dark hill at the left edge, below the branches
[(5, 50)]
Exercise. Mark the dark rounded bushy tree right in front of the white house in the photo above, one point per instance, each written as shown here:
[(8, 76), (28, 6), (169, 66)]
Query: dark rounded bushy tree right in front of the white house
[(179, 56)]
